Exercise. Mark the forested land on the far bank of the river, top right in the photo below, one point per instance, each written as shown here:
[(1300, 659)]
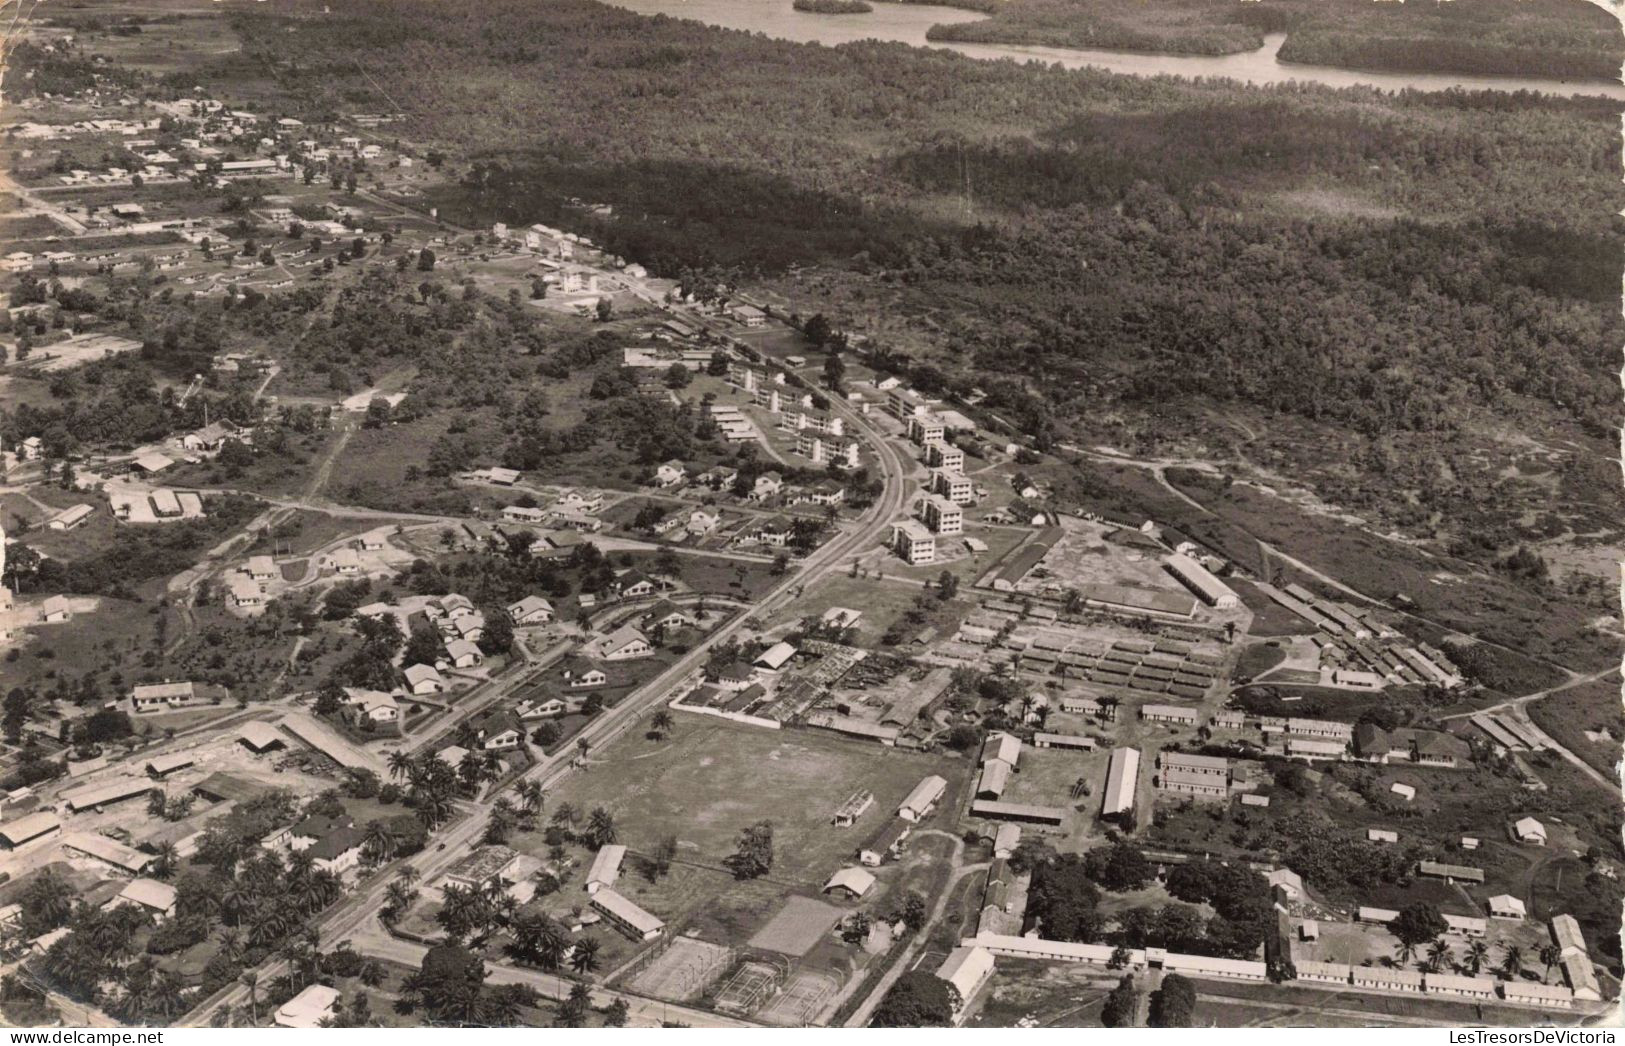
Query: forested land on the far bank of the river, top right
[(1567, 40)]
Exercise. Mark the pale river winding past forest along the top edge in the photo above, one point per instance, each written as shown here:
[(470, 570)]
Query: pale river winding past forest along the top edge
[(908, 24)]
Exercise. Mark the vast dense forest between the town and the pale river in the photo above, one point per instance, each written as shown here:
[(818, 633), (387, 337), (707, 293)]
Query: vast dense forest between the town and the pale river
[(1117, 236)]
